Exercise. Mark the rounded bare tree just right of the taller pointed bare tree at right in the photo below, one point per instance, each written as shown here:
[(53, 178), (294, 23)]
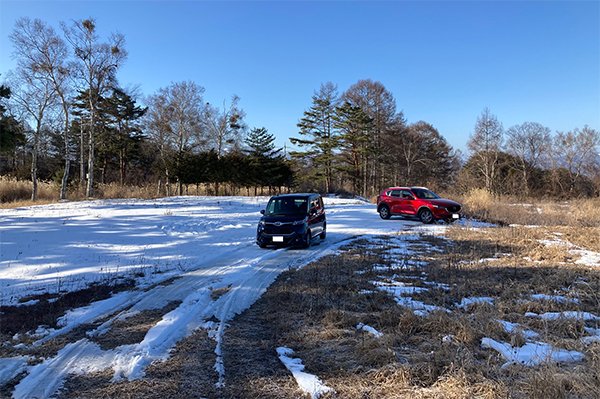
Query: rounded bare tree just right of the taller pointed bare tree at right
[(528, 142)]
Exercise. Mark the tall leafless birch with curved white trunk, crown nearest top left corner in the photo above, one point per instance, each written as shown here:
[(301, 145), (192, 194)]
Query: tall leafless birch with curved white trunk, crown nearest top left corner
[(39, 48)]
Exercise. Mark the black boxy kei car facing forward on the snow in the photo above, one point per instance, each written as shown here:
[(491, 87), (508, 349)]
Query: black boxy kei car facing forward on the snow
[(292, 220)]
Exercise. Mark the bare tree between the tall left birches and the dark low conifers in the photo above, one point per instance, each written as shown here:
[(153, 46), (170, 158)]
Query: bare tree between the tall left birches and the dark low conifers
[(174, 123)]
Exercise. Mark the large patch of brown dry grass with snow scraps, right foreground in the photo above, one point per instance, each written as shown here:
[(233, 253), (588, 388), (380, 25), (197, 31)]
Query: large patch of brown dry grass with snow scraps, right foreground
[(315, 310)]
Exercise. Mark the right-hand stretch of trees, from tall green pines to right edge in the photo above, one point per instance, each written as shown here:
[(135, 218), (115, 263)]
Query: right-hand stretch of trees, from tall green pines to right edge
[(358, 141)]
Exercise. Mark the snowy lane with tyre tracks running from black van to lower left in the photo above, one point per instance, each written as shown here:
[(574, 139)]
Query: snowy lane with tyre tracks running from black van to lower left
[(248, 280)]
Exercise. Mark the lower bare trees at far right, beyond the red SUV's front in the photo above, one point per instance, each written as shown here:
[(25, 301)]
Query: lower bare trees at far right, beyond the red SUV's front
[(528, 160)]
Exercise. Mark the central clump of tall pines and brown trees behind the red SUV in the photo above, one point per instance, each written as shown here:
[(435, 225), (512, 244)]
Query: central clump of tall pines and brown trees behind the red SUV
[(358, 141)]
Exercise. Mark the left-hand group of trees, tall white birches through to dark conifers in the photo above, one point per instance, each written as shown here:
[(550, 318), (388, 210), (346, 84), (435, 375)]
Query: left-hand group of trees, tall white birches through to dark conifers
[(63, 105)]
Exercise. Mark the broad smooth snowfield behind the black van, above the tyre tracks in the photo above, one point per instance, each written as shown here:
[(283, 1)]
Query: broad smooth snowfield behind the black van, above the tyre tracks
[(65, 247)]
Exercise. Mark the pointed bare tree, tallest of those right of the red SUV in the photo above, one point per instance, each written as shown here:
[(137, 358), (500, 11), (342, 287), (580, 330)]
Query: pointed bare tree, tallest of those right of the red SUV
[(485, 144)]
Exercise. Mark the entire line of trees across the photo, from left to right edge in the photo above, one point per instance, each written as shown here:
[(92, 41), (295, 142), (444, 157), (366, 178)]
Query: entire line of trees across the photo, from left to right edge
[(65, 117)]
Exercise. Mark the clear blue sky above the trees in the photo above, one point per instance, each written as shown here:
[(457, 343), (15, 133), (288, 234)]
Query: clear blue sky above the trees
[(443, 61)]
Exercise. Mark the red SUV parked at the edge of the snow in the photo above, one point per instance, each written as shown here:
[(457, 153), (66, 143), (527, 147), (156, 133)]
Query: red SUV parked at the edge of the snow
[(416, 201)]
